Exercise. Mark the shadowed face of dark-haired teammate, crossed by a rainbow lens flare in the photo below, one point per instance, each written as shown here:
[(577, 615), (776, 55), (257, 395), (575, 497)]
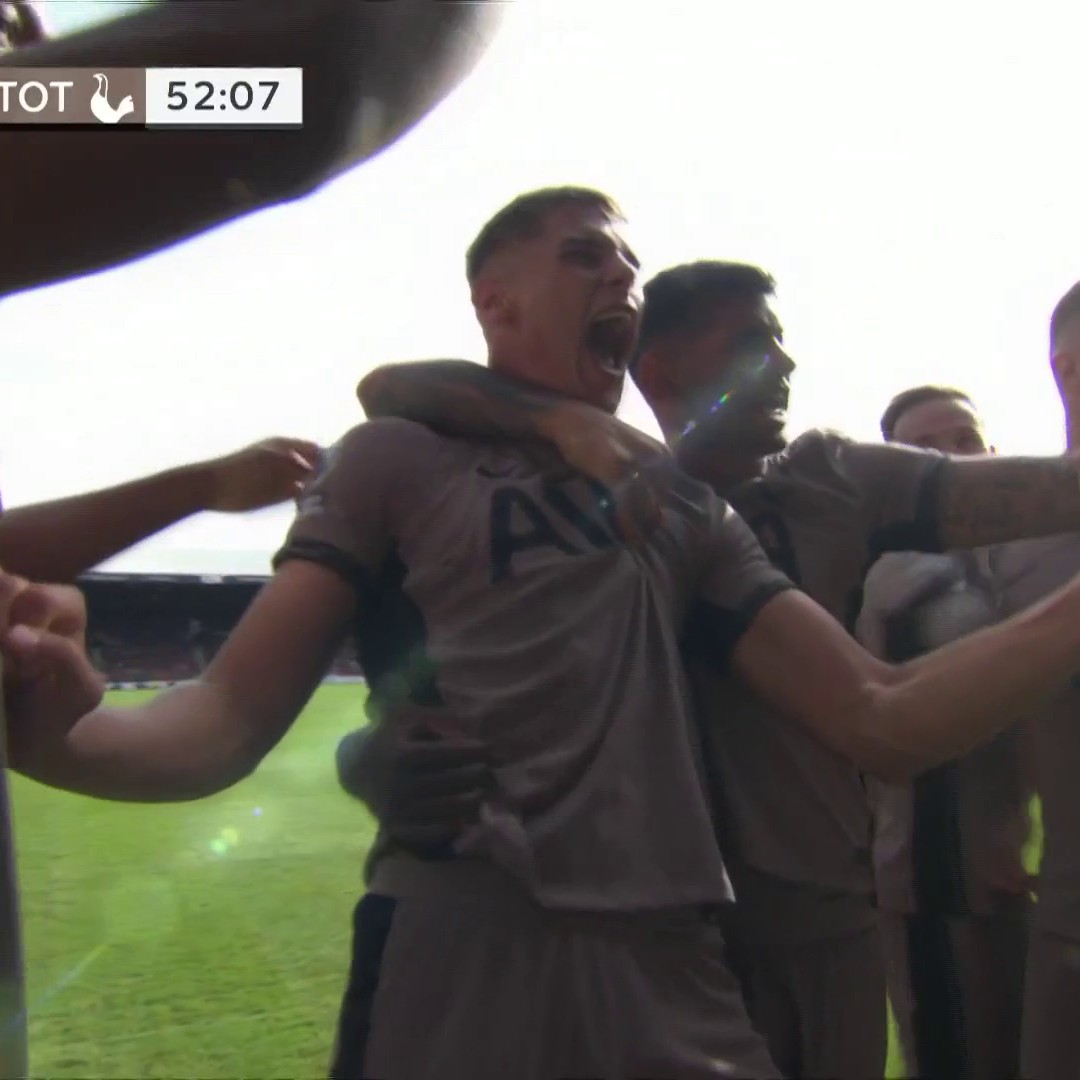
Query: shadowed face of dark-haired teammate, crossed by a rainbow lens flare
[(727, 388)]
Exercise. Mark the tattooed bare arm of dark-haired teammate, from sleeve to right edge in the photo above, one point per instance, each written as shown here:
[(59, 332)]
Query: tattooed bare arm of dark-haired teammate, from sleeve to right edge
[(998, 499)]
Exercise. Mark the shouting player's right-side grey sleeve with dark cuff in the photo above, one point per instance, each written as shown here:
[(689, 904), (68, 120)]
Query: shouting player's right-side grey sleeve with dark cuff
[(738, 582)]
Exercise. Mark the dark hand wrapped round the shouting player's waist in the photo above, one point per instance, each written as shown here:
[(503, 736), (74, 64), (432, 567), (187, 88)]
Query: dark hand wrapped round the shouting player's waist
[(425, 785)]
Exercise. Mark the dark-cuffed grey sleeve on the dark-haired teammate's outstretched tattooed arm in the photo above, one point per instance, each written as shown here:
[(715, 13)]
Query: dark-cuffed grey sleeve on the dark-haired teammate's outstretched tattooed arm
[(897, 489)]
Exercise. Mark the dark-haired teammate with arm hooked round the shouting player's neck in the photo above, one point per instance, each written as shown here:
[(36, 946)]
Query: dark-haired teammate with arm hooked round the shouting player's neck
[(795, 825)]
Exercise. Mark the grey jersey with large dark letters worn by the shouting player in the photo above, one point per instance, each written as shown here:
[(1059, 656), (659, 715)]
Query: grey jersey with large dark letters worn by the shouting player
[(489, 588)]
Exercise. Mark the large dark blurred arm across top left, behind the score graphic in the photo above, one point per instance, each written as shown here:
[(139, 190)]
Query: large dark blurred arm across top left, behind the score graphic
[(77, 202)]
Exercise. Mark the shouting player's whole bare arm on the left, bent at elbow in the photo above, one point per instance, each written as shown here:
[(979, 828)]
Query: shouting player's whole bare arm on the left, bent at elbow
[(202, 737)]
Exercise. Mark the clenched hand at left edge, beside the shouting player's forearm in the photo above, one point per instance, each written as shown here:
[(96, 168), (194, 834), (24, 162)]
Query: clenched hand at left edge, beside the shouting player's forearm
[(49, 682)]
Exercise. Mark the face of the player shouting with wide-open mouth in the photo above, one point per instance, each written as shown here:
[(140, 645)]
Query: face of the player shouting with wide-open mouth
[(563, 310)]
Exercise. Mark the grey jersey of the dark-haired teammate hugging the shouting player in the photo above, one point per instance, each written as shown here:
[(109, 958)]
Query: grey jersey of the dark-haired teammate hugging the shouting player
[(795, 820)]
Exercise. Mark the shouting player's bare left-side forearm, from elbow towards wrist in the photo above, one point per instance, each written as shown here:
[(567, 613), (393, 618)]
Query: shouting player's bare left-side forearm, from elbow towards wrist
[(182, 746)]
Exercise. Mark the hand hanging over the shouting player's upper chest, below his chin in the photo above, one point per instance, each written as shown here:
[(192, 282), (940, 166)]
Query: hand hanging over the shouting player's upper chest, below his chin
[(623, 458)]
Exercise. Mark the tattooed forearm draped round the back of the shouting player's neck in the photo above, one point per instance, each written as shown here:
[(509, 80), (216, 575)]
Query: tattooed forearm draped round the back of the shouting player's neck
[(461, 399)]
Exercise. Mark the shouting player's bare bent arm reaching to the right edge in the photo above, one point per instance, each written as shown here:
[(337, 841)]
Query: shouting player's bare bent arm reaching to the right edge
[(898, 721)]
